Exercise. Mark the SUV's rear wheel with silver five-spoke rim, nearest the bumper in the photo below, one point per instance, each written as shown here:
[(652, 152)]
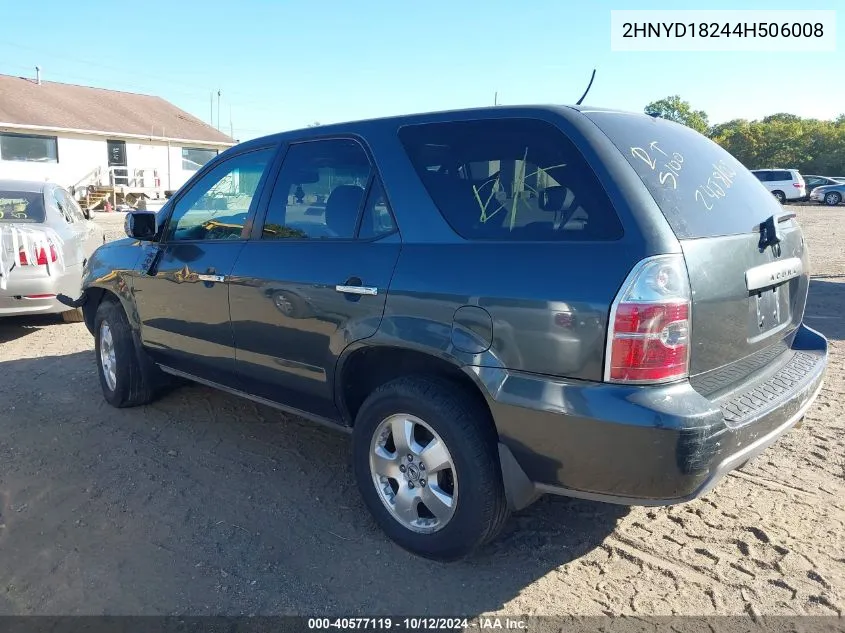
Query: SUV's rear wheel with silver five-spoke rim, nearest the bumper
[(426, 463)]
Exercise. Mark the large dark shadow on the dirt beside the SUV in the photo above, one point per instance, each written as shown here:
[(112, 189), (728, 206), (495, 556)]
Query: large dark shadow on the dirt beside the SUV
[(203, 503)]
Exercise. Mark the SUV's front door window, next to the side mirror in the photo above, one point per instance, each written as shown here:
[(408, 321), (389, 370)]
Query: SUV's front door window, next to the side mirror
[(216, 206)]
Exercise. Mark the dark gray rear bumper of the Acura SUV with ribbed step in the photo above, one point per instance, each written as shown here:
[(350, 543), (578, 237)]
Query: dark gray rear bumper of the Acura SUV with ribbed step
[(645, 445)]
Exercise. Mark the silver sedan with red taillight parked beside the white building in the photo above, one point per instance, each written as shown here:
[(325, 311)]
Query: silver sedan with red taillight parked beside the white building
[(45, 240)]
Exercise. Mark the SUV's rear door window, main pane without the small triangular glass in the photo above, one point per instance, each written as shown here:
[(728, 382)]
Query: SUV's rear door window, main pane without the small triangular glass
[(319, 191)]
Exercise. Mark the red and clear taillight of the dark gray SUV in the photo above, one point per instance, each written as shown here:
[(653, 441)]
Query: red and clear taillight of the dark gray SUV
[(649, 328)]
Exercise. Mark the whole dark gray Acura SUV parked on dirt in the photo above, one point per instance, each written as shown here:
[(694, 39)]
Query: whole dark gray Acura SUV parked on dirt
[(496, 303)]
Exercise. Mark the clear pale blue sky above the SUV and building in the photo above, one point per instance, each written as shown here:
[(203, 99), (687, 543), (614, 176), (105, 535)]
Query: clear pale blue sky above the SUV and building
[(282, 64)]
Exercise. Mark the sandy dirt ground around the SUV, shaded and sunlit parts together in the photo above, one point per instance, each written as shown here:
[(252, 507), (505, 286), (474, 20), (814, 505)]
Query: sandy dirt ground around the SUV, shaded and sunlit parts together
[(204, 503)]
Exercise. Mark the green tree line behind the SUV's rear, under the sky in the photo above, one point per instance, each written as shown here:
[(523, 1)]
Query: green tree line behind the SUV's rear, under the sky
[(782, 140)]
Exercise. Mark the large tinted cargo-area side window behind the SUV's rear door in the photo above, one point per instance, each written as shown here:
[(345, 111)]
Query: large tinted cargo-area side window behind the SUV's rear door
[(510, 179)]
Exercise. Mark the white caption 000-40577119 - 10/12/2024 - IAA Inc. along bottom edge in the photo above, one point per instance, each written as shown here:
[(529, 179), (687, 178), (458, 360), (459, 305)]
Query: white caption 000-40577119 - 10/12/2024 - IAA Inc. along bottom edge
[(419, 624)]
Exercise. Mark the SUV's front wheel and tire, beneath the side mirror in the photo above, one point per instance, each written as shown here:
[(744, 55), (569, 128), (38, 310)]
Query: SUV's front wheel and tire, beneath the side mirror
[(127, 377)]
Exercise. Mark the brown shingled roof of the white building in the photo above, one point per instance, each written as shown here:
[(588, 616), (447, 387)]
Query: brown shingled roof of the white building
[(51, 105)]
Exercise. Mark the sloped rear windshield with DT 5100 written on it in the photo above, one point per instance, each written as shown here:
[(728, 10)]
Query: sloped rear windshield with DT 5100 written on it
[(702, 190)]
